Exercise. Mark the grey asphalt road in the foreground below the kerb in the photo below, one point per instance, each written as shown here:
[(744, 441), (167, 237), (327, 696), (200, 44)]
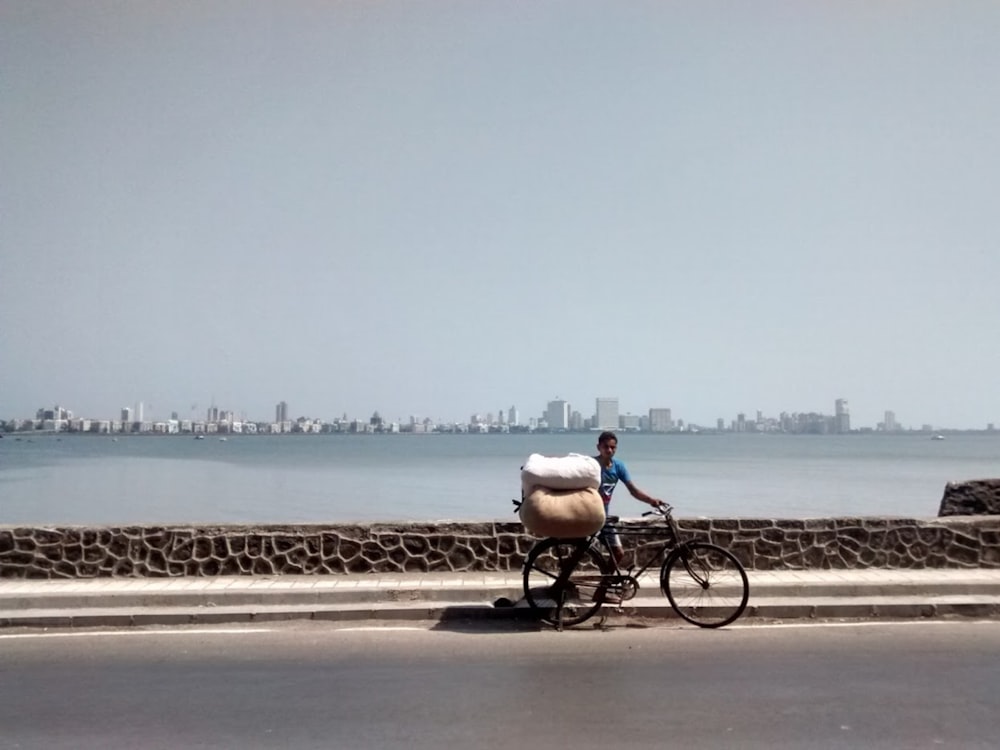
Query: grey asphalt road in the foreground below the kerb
[(906, 685)]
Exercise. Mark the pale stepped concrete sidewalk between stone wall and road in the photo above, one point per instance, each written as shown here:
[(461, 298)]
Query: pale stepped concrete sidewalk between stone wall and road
[(774, 595)]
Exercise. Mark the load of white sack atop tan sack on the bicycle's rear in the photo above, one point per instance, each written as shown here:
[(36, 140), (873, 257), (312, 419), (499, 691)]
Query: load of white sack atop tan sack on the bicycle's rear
[(560, 496)]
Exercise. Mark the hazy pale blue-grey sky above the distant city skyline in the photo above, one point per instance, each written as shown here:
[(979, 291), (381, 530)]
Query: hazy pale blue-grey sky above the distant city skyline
[(446, 208)]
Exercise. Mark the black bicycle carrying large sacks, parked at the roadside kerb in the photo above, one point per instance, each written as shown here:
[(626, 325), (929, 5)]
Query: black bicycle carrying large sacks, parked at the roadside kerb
[(566, 581)]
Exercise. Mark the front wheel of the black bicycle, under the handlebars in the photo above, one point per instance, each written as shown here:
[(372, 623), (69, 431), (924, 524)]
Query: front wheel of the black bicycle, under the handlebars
[(705, 584)]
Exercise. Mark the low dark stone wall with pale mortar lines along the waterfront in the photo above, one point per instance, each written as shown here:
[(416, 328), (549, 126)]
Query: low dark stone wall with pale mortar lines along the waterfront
[(138, 551)]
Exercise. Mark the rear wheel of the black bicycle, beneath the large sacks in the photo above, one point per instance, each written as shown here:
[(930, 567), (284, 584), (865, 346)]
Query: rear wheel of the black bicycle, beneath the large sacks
[(583, 592)]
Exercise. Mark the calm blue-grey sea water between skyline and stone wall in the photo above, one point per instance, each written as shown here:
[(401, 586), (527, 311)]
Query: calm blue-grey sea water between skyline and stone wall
[(84, 479)]
